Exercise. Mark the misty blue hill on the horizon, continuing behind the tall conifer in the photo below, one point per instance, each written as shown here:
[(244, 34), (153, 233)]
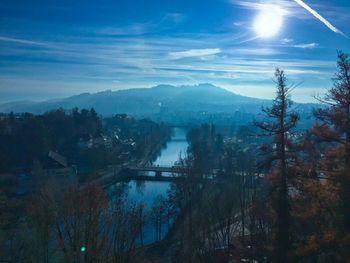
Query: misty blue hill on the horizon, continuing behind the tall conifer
[(164, 102)]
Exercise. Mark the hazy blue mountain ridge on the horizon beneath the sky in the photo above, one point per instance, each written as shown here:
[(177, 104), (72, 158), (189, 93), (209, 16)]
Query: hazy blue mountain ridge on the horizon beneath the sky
[(140, 101)]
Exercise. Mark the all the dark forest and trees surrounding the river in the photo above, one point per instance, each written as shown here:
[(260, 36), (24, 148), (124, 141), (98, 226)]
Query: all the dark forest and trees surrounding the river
[(270, 192)]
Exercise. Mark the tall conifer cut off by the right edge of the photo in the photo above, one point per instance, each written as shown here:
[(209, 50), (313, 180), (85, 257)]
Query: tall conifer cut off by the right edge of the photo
[(335, 130)]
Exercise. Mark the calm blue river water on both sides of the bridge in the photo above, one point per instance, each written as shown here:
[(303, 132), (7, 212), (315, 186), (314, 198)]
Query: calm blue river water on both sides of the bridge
[(146, 192)]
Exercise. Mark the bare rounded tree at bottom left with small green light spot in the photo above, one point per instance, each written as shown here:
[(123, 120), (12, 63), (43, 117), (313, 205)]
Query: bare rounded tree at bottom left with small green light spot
[(81, 226)]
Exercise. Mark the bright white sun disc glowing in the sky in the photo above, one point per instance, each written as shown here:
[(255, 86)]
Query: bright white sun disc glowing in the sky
[(269, 21)]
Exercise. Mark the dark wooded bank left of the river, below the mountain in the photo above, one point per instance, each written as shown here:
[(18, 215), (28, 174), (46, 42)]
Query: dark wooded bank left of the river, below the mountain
[(83, 137)]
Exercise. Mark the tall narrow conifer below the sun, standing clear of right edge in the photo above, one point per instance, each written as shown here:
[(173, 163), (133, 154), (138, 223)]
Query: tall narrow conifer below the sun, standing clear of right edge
[(279, 123)]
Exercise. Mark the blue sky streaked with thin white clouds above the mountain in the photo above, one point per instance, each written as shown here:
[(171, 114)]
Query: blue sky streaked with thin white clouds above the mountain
[(57, 48)]
